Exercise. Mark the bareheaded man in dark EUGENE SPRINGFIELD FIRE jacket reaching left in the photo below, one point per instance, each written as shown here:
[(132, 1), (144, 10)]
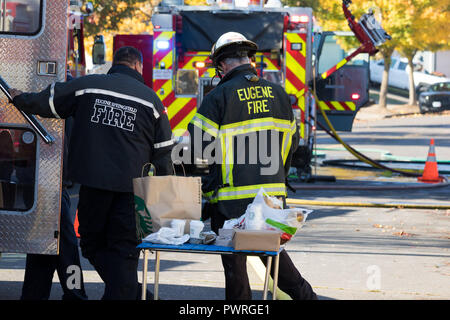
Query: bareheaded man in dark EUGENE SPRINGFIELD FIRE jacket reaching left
[(119, 125)]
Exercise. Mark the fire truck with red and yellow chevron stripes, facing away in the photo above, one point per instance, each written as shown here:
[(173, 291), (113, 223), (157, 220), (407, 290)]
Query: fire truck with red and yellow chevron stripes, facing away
[(178, 68)]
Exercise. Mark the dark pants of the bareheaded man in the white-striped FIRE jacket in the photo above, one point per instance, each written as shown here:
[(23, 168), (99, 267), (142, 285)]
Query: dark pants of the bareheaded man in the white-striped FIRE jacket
[(108, 240)]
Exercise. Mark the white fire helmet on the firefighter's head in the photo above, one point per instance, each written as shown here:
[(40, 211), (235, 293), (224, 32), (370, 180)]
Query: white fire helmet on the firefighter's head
[(232, 44)]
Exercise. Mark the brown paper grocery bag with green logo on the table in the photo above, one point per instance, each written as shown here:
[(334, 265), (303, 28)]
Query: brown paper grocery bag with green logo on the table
[(159, 199)]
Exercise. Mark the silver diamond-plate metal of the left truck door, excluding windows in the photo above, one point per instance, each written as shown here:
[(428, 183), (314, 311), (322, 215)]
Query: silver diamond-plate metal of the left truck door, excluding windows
[(33, 232)]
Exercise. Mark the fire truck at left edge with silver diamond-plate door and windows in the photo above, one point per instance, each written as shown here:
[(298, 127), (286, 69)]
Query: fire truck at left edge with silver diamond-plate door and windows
[(39, 40)]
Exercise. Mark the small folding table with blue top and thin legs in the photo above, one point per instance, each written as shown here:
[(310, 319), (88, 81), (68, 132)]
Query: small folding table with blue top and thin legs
[(205, 249)]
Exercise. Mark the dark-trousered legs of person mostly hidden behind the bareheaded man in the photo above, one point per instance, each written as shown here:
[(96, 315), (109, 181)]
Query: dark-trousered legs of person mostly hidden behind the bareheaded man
[(40, 268)]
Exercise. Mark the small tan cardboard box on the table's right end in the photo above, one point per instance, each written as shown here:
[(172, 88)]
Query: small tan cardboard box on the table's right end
[(256, 240)]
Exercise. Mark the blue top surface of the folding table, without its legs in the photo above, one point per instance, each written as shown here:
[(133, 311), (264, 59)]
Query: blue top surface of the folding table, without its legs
[(206, 248)]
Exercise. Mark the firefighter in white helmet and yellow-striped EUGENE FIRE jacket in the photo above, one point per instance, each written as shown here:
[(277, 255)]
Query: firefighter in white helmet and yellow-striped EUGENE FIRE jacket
[(248, 131)]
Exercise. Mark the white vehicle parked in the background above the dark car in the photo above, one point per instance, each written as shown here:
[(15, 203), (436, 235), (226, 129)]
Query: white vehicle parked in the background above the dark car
[(399, 74)]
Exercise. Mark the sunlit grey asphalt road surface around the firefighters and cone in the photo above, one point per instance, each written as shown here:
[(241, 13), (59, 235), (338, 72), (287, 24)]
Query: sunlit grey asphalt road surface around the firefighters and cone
[(344, 252)]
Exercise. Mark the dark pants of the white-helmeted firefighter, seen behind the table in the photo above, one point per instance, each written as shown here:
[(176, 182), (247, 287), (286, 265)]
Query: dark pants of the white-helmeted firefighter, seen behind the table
[(237, 285)]
